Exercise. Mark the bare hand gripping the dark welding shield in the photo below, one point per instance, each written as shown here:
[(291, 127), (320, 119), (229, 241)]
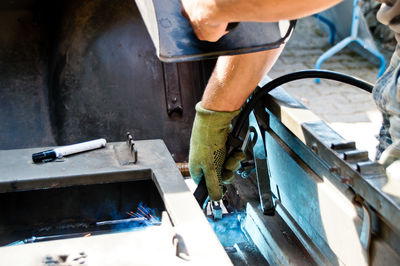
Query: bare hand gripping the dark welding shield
[(204, 19)]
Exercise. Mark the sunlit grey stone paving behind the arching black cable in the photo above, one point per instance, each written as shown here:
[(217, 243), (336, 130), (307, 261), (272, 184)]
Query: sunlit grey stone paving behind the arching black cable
[(348, 110)]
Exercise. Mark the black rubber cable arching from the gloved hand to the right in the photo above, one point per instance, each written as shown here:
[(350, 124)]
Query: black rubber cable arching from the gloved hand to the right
[(321, 74)]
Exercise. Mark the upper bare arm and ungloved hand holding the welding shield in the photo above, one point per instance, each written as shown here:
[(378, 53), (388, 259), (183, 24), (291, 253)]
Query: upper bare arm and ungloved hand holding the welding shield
[(209, 18)]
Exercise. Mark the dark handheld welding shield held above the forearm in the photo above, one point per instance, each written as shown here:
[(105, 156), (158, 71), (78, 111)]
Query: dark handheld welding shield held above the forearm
[(175, 40)]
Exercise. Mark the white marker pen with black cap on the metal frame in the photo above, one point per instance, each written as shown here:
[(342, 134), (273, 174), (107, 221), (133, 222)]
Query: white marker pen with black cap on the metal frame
[(50, 155)]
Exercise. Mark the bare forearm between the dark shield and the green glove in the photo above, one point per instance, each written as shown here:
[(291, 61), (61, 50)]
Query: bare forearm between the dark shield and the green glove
[(235, 77)]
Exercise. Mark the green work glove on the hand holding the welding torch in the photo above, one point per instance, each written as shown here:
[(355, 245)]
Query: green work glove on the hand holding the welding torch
[(208, 150)]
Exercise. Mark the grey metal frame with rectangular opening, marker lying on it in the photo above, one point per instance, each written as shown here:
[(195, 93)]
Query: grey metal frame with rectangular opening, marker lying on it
[(182, 218)]
